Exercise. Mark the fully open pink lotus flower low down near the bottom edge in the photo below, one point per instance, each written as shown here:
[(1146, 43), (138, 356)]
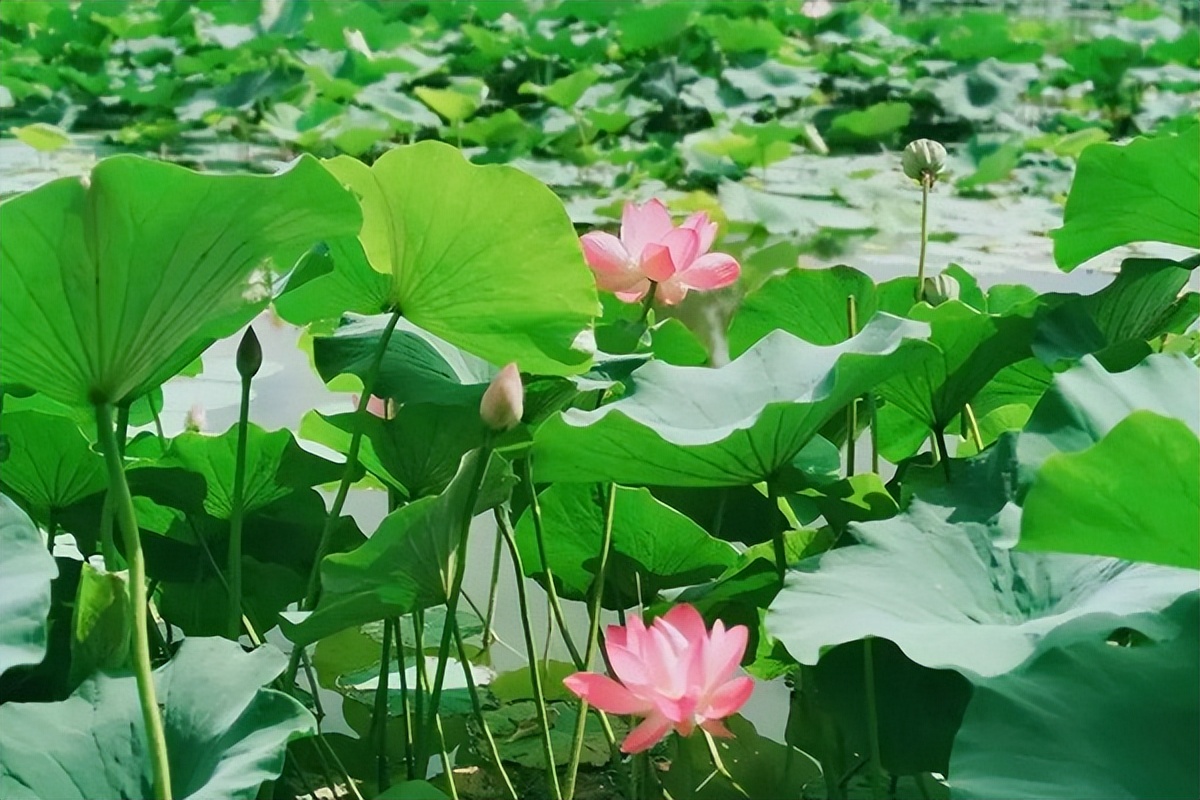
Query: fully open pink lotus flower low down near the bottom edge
[(676, 673)]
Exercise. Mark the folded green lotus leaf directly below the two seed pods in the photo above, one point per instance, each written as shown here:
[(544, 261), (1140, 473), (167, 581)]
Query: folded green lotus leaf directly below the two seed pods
[(975, 347)]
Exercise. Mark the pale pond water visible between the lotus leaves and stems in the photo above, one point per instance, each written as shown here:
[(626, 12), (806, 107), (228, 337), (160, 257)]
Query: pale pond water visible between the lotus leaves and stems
[(999, 239)]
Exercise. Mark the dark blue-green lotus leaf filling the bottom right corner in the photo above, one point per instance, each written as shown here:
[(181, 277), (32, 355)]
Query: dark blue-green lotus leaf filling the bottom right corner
[(1089, 720)]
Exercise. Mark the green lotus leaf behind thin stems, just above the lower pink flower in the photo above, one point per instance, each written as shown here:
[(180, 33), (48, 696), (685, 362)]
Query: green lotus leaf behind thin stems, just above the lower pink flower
[(655, 548)]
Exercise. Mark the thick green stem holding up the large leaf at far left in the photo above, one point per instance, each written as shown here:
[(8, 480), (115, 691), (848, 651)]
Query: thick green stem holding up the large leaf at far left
[(123, 504)]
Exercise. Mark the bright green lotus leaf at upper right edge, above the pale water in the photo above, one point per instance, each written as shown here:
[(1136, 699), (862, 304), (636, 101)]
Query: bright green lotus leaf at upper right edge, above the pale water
[(1148, 190)]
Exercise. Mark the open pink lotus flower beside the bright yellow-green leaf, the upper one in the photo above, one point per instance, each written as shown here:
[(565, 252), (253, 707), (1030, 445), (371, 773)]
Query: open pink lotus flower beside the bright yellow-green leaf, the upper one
[(652, 249)]
